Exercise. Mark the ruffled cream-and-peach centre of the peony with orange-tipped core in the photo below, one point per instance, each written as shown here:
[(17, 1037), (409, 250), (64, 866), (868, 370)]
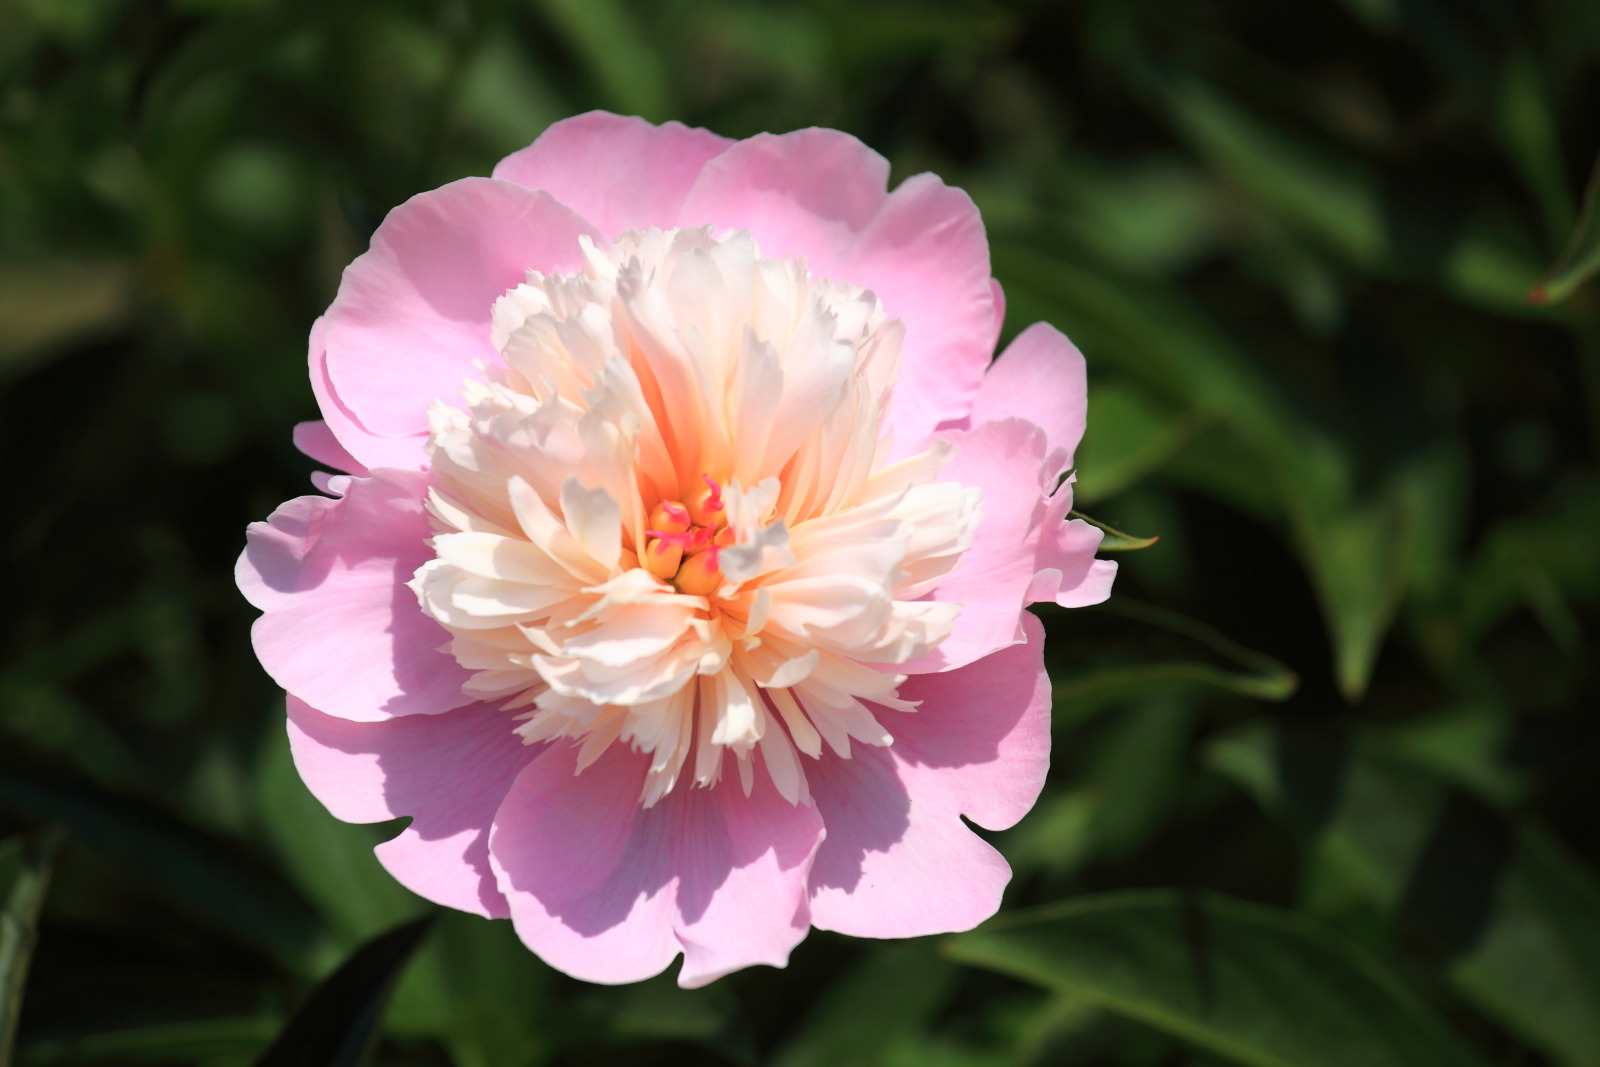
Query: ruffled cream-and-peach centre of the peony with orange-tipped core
[(668, 519)]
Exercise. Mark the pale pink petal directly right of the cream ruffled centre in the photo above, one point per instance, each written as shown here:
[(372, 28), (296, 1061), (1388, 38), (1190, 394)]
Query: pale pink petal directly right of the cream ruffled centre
[(993, 580)]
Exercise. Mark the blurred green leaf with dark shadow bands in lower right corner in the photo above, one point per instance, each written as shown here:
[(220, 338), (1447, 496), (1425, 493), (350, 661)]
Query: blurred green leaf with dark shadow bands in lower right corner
[(1513, 916)]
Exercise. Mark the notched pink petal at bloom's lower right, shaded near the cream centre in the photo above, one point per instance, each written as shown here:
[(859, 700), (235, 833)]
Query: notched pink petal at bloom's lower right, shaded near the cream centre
[(898, 860)]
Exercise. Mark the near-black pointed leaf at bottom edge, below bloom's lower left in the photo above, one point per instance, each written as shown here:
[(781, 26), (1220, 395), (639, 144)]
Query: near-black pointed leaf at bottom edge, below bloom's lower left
[(338, 1023)]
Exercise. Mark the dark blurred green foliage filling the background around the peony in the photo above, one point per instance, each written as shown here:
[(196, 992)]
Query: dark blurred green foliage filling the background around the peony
[(1353, 753)]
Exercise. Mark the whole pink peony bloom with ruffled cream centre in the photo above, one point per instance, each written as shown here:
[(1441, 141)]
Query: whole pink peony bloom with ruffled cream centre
[(674, 583)]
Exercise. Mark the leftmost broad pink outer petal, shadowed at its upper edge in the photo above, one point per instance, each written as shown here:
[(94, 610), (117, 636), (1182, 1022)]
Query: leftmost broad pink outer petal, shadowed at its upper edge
[(342, 631)]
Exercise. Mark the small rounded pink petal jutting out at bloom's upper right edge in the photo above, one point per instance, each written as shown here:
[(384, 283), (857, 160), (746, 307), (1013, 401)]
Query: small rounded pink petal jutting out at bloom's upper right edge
[(1039, 378)]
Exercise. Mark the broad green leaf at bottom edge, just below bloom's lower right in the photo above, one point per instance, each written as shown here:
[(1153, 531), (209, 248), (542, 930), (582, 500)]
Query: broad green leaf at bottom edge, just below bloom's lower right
[(1255, 985)]
